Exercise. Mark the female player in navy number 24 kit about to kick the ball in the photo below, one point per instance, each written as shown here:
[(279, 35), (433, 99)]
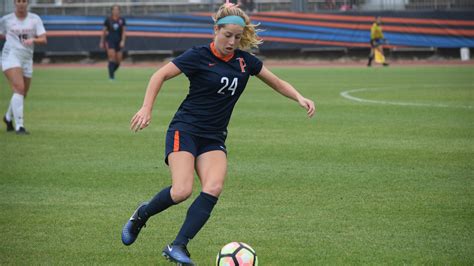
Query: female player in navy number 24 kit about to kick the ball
[(195, 141)]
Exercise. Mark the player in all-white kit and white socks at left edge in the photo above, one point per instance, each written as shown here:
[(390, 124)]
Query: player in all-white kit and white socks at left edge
[(23, 30)]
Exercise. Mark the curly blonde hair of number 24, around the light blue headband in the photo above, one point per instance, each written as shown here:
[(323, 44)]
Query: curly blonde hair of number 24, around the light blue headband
[(249, 38)]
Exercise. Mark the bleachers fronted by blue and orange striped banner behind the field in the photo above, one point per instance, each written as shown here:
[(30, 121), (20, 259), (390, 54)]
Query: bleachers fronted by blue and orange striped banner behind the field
[(326, 30)]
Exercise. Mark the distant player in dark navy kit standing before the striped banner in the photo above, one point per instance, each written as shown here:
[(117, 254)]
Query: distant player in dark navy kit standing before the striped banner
[(113, 39)]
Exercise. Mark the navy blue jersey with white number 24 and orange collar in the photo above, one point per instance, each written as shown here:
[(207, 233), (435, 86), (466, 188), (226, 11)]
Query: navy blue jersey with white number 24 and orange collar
[(215, 86)]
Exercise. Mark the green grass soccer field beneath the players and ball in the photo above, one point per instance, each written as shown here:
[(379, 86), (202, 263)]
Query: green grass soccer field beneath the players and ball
[(361, 183)]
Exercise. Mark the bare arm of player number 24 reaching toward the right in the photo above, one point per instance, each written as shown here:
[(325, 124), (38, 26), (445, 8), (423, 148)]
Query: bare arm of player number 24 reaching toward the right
[(286, 89)]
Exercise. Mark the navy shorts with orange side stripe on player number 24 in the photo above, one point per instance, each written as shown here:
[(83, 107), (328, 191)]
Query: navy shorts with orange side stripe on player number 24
[(182, 141)]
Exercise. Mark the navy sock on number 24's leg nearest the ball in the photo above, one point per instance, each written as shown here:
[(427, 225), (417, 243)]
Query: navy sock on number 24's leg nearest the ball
[(198, 214)]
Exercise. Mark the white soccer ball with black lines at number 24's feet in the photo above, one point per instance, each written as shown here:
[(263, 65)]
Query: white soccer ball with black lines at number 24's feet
[(237, 254)]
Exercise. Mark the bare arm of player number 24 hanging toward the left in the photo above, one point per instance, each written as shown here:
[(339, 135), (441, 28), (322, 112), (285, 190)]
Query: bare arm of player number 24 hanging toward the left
[(143, 117)]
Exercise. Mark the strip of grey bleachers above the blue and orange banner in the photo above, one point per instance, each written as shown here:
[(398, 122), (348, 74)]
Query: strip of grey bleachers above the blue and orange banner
[(151, 7)]
